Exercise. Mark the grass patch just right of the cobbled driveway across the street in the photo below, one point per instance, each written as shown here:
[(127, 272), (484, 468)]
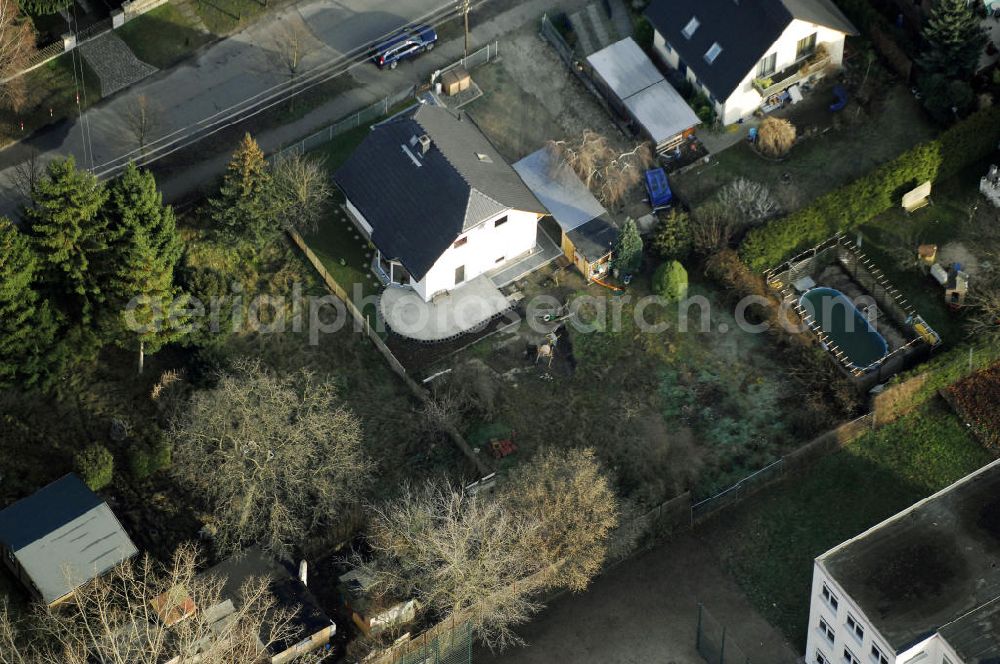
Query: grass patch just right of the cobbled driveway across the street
[(162, 37)]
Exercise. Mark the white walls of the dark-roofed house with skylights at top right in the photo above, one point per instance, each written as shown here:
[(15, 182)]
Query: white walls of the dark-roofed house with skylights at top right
[(745, 99)]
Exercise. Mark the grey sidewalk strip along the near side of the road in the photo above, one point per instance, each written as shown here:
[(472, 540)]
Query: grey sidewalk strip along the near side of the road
[(373, 85)]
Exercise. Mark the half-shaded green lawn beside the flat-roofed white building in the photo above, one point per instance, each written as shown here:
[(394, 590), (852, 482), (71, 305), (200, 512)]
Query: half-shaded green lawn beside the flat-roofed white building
[(770, 542)]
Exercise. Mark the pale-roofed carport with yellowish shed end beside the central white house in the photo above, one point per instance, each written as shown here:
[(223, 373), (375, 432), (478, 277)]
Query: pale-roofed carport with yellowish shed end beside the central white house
[(588, 233)]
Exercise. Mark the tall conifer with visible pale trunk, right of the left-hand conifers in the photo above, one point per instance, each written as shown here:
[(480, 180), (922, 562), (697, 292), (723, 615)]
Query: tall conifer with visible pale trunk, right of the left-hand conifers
[(144, 305)]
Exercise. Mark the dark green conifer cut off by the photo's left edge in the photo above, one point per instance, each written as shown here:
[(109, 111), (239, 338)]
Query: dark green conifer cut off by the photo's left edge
[(27, 327)]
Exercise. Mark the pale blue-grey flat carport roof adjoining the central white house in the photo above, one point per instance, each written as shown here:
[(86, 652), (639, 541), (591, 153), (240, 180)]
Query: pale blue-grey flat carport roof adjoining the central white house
[(562, 193)]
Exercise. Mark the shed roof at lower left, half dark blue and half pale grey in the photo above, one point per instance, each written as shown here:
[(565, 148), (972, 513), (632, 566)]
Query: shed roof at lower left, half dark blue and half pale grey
[(63, 536)]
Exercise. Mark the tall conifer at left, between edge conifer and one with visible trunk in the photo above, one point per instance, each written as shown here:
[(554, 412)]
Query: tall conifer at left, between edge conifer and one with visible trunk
[(68, 235)]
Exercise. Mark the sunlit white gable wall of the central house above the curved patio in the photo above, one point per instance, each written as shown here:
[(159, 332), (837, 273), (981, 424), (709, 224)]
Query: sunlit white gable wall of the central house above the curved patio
[(487, 247)]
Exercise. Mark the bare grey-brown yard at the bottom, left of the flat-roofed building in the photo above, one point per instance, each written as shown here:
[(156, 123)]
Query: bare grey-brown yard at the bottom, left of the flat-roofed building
[(645, 612)]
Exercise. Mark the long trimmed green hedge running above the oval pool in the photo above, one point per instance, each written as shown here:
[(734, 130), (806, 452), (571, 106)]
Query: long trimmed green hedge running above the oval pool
[(861, 201)]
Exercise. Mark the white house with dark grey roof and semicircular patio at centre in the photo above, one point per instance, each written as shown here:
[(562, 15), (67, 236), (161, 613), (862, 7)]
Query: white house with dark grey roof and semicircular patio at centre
[(438, 202)]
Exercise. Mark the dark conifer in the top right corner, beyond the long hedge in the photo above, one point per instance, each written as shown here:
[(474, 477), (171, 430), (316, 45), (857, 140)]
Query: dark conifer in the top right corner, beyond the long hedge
[(954, 39)]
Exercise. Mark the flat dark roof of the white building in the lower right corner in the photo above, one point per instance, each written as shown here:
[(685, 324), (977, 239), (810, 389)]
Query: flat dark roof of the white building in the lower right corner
[(929, 565)]
